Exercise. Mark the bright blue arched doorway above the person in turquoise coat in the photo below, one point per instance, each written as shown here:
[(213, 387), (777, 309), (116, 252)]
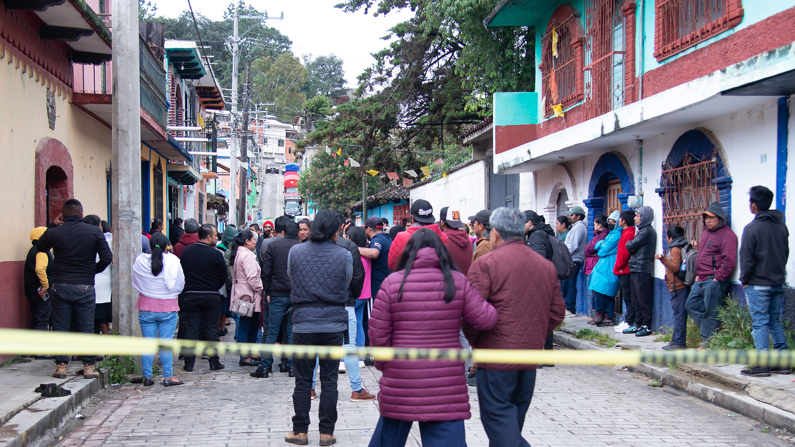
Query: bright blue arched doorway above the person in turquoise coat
[(611, 184)]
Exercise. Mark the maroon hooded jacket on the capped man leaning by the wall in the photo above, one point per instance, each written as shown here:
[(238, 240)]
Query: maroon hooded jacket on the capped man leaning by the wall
[(717, 249)]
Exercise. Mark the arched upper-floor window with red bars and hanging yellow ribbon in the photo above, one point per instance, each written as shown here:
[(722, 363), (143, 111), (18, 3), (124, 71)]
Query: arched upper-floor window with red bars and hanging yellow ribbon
[(561, 60)]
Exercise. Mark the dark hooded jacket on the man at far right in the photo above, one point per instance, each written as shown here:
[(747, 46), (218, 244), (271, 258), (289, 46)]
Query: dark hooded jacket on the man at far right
[(765, 250)]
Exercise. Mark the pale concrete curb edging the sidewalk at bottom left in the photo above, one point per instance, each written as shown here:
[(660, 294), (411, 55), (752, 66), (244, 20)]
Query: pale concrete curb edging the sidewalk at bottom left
[(31, 423)]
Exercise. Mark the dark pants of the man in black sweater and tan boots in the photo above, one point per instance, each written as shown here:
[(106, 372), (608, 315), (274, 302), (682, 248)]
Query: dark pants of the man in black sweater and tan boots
[(73, 301)]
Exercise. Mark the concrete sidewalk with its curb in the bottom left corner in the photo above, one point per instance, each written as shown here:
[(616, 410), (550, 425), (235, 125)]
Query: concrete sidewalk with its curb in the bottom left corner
[(25, 416)]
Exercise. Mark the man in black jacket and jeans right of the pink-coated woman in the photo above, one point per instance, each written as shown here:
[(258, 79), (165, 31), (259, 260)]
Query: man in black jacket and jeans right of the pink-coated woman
[(277, 288)]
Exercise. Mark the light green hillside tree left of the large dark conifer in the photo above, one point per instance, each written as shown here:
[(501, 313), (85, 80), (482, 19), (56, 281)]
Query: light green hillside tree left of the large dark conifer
[(280, 82)]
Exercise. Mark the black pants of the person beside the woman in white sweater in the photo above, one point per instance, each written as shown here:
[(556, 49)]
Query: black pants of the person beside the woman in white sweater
[(201, 311)]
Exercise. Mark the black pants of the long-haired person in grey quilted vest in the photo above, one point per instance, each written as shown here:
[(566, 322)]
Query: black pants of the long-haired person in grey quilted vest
[(302, 399)]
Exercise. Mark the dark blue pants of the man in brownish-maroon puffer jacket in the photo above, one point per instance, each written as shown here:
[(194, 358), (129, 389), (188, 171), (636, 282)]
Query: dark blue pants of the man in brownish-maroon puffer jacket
[(504, 397)]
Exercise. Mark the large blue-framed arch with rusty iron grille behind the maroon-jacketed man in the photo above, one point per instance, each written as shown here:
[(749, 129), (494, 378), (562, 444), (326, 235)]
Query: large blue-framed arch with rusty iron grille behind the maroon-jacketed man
[(693, 176)]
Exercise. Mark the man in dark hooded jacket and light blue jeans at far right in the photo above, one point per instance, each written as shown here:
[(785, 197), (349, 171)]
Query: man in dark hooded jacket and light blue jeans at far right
[(763, 269)]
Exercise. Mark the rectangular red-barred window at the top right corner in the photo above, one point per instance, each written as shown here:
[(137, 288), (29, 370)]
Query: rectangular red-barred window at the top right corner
[(681, 24)]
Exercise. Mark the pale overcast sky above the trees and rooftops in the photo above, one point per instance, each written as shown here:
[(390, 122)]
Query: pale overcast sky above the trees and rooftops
[(314, 26)]
